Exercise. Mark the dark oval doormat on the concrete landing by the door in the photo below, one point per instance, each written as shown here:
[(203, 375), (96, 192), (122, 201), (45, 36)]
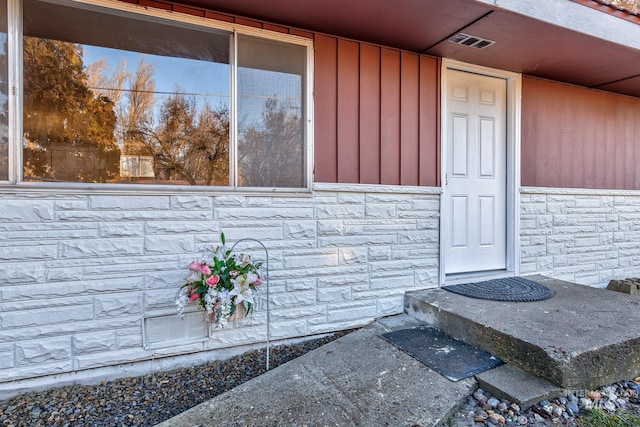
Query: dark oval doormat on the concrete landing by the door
[(513, 289)]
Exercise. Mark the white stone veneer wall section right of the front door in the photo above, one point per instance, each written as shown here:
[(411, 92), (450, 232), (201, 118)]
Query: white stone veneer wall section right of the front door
[(584, 236)]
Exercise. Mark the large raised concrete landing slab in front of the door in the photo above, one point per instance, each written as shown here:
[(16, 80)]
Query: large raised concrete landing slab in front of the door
[(582, 338)]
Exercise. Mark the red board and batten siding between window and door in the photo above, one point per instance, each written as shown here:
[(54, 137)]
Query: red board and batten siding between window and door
[(375, 115)]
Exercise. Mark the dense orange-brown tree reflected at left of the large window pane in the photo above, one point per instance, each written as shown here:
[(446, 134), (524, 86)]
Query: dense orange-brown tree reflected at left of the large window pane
[(68, 130)]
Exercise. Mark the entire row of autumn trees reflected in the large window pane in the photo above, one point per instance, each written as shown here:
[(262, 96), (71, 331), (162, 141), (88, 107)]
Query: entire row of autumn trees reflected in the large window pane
[(84, 125)]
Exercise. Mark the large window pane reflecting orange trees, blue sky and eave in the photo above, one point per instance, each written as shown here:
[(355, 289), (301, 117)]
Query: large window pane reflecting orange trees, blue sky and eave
[(122, 99)]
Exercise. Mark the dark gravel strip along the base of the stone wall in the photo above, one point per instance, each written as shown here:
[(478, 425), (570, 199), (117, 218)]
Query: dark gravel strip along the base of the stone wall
[(146, 400)]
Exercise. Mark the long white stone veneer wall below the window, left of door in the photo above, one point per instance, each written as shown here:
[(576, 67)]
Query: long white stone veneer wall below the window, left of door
[(79, 272)]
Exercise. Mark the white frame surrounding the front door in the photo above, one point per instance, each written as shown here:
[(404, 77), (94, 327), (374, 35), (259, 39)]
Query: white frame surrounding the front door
[(514, 92)]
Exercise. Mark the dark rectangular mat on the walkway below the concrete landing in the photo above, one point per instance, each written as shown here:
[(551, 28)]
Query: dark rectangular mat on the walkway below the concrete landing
[(451, 358)]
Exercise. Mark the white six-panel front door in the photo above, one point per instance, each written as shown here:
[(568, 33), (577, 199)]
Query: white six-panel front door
[(475, 175)]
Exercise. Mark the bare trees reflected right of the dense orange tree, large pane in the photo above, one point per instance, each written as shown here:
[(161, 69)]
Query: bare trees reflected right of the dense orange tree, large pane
[(188, 142)]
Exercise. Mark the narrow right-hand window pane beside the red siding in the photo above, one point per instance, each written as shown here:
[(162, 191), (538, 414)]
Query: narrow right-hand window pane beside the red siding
[(271, 140)]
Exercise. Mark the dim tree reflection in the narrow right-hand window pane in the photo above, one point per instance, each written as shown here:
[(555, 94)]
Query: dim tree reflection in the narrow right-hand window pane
[(271, 154)]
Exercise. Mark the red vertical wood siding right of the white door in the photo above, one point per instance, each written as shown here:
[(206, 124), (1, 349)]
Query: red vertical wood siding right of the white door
[(574, 137)]
